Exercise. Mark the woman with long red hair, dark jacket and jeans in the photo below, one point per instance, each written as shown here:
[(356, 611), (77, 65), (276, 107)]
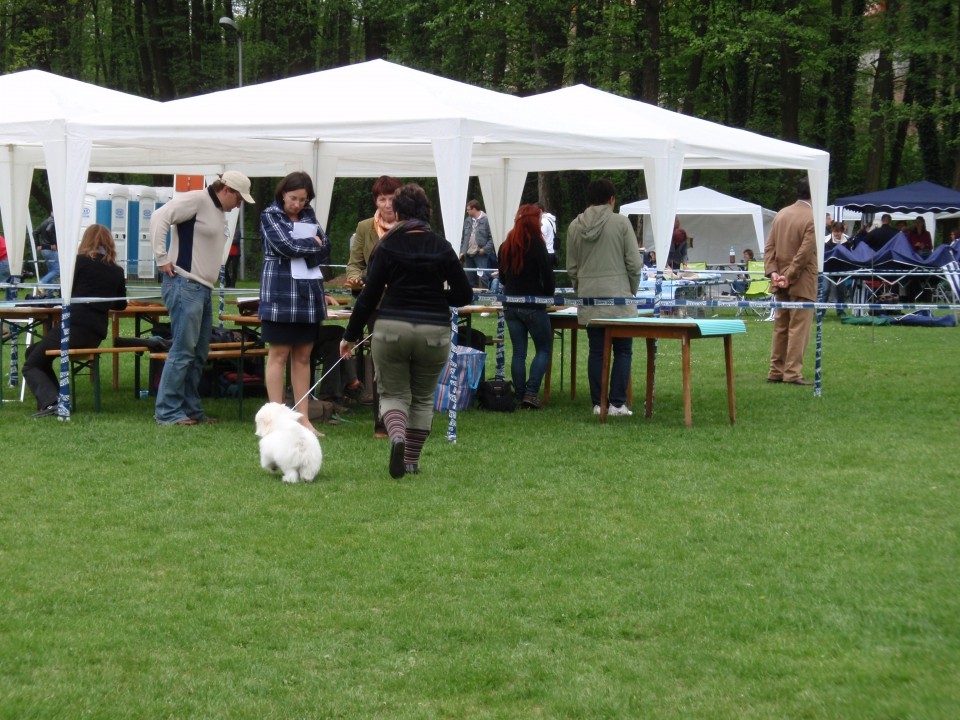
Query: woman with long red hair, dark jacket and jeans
[(526, 270)]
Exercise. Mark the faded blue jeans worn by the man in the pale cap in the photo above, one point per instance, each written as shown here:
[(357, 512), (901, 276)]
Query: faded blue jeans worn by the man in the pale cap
[(191, 320)]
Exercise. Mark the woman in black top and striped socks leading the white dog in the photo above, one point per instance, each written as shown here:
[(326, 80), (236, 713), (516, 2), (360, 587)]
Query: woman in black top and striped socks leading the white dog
[(416, 277)]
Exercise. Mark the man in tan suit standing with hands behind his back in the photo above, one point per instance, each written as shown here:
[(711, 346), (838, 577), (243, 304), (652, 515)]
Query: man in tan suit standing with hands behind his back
[(790, 261)]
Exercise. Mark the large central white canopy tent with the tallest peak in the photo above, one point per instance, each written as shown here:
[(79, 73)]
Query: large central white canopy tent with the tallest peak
[(331, 124)]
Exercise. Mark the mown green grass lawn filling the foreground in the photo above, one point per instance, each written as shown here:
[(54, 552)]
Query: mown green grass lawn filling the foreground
[(804, 563)]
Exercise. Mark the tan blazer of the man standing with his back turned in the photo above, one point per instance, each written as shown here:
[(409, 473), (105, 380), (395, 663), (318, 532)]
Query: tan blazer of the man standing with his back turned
[(791, 250)]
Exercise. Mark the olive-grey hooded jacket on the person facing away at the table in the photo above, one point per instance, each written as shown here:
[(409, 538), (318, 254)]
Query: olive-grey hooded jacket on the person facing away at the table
[(603, 261)]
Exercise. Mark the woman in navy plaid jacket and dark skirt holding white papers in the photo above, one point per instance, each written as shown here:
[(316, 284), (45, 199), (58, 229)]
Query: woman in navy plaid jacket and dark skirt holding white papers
[(291, 286)]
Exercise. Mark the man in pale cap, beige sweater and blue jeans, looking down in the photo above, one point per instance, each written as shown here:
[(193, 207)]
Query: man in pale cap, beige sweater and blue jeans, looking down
[(190, 268)]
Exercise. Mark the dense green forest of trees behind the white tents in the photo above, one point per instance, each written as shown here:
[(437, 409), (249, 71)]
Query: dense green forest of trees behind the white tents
[(873, 83)]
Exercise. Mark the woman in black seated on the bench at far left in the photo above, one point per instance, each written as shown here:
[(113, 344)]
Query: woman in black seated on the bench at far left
[(96, 275)]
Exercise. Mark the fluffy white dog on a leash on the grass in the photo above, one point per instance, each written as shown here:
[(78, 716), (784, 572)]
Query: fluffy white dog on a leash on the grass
[(286, 445)]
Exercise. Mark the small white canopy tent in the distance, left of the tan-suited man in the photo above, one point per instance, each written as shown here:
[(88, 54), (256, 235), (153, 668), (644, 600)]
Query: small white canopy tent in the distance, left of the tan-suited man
[(715, 221)]
